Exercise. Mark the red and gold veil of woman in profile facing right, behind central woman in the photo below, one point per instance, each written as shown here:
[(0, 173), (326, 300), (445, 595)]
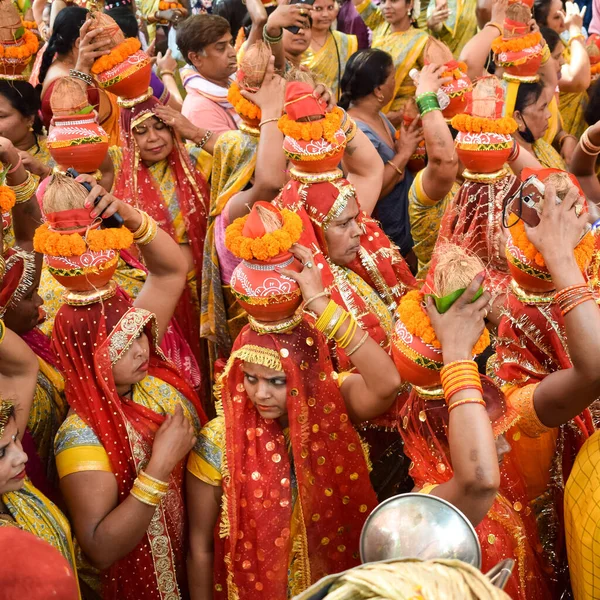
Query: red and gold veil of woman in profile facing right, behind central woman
[(378, 262)]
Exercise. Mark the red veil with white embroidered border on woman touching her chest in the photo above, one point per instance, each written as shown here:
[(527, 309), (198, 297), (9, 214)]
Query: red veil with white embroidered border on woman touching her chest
[(87, 340)]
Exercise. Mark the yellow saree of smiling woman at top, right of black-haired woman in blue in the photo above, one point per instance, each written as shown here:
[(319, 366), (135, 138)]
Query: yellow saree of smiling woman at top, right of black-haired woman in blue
[(405, 47)]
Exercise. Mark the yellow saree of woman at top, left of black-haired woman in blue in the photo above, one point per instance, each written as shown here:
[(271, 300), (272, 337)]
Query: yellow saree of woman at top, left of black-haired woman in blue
[(329, 63)]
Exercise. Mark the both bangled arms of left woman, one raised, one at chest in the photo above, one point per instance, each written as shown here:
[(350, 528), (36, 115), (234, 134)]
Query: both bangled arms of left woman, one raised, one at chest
[(107, 529)]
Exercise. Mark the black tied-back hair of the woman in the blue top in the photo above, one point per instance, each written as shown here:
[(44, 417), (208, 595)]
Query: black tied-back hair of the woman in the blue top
[(366, 70)]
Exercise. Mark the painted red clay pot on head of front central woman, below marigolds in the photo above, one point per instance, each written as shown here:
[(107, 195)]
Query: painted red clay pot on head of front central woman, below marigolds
[(264, 293)]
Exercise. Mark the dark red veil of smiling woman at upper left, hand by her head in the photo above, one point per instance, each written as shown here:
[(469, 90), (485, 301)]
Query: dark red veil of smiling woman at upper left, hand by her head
[(136, 185)]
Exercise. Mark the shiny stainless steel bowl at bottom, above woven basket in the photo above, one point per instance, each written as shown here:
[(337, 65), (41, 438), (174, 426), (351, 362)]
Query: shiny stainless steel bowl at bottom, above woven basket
[(418, 526)]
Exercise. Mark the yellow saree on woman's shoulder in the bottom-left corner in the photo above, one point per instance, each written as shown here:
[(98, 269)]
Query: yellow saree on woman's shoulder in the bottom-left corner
[(33, 512)]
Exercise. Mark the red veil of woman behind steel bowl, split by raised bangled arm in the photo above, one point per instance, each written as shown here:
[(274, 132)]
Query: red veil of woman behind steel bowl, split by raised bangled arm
[(508, 530)]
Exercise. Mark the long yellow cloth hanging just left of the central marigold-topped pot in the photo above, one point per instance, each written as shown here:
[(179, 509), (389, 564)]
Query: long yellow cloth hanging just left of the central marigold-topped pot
[(234, 160)]
